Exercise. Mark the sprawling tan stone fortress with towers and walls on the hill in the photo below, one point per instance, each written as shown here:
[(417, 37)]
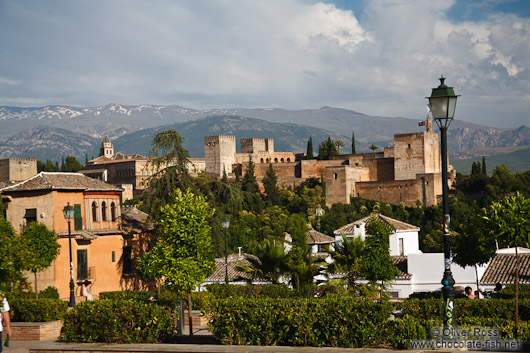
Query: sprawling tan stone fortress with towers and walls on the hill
[(408, 172)]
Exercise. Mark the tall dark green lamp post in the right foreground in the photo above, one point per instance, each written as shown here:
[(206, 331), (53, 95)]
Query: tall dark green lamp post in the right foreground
[(443, 103)]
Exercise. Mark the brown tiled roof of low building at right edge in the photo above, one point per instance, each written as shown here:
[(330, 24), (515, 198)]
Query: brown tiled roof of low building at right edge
[(502, 269)]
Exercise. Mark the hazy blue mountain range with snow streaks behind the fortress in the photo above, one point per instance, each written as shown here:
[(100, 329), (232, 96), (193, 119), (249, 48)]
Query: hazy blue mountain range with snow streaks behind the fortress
[(54, 131)]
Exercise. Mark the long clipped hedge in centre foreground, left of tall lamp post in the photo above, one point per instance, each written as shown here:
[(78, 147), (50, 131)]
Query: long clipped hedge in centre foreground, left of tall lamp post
[(333, 321)]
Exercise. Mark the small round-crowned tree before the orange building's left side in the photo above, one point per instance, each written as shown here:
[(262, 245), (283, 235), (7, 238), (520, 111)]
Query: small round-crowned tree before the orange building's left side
[(41, 248)]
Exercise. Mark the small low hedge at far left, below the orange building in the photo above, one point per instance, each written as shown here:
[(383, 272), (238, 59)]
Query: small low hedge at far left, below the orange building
[(37, 310)]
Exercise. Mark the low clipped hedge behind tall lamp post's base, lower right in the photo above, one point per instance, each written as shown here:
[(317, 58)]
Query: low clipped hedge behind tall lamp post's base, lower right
[(498, 309)]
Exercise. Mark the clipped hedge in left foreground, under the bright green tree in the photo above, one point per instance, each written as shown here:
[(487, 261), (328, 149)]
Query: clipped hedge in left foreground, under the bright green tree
[(118, 321)]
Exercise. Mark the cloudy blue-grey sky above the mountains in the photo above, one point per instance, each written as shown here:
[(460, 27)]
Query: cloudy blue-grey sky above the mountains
[(377, 57)]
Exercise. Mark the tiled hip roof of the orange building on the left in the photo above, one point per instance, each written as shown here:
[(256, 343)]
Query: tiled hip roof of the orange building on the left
[(60, 181)]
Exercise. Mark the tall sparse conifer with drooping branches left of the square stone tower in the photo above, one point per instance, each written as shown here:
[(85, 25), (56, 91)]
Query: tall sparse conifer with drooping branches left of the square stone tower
[(169, 161)]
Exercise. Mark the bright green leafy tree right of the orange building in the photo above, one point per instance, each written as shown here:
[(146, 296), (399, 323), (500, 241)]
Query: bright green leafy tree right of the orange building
[(183, 254)]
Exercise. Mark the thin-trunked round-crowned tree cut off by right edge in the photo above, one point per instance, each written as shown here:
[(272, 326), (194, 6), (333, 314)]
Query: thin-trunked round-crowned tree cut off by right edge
[(508, 221)]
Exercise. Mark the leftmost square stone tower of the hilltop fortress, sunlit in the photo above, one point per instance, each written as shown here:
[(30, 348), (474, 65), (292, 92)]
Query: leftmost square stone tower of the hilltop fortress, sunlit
[(219, 151)]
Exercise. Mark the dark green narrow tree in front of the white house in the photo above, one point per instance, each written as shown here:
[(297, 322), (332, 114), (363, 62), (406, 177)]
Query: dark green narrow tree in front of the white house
[(377, 265)]
